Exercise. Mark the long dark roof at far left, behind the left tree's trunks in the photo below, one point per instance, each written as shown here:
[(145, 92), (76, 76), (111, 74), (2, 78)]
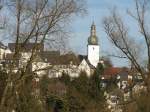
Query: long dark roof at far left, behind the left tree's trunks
[(26, 47)]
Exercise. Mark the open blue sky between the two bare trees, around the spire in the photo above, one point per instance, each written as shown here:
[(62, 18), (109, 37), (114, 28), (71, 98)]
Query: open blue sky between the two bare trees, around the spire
[(97, 10)]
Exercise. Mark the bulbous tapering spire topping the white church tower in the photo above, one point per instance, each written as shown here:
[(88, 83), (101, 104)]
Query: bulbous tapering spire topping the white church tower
[(92, 40)]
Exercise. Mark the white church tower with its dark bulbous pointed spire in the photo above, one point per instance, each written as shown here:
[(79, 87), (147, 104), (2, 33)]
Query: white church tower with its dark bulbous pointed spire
[(93, 47)]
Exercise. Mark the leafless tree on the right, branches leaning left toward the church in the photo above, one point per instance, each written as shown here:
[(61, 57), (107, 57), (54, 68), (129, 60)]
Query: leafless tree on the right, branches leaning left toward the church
[(119, 35)]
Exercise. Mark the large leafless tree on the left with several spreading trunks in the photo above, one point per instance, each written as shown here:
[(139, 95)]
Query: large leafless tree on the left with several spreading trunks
[(36, 21)]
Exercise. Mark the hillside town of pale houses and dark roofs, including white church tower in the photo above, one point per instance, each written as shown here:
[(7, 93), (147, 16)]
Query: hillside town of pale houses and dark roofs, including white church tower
[(118, 82)]
